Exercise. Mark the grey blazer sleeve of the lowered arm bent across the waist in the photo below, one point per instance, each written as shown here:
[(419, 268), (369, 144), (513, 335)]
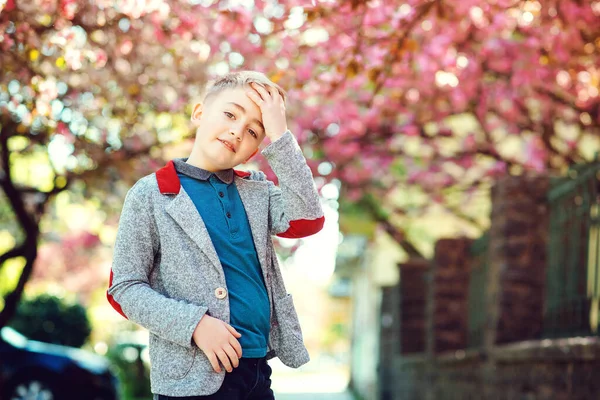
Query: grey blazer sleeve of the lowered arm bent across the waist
[(129, 290)]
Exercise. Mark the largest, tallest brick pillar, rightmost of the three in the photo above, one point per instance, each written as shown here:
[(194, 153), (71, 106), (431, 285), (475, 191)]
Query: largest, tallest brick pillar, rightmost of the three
[(517, 276)]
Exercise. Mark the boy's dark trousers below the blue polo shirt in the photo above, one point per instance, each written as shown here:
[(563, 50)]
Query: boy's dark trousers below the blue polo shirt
[(251, 380)]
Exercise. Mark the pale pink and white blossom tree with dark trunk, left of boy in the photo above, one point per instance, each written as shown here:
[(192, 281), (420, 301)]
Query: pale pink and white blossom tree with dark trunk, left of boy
[(90, 93)]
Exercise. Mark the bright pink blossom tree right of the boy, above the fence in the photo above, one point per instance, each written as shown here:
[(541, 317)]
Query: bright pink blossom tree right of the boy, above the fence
[(446, 96)]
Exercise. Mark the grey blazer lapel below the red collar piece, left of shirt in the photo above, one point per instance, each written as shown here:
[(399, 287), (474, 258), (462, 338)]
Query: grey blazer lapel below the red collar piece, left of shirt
[(184, 212)]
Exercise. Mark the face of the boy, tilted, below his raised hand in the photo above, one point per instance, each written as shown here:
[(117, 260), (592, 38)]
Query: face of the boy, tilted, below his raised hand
[(229, 130)]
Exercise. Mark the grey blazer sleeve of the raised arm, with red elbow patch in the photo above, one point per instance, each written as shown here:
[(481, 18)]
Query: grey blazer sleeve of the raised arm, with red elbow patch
[(294, 206)]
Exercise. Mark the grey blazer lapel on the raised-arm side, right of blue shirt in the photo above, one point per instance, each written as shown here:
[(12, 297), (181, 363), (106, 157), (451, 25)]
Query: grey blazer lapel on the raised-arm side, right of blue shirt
[(255, 197)]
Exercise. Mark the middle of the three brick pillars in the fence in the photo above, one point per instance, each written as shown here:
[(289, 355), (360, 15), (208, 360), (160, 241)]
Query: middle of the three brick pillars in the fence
[(450, 294)]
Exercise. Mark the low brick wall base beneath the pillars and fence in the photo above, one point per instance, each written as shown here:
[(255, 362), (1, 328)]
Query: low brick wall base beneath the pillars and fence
[(560, 369)]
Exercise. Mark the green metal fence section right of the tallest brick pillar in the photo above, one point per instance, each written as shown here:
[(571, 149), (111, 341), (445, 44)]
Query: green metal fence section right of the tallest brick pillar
[(573, 274)]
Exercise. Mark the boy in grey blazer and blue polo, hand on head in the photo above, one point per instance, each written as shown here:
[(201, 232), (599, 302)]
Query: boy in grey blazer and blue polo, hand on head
[(194, 261)]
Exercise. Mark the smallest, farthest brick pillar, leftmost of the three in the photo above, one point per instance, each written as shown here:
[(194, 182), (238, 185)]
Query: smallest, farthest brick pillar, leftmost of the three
[(413, 300)]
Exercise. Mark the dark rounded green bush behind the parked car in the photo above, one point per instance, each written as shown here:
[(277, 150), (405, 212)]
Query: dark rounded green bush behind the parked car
[(49, 319)]
